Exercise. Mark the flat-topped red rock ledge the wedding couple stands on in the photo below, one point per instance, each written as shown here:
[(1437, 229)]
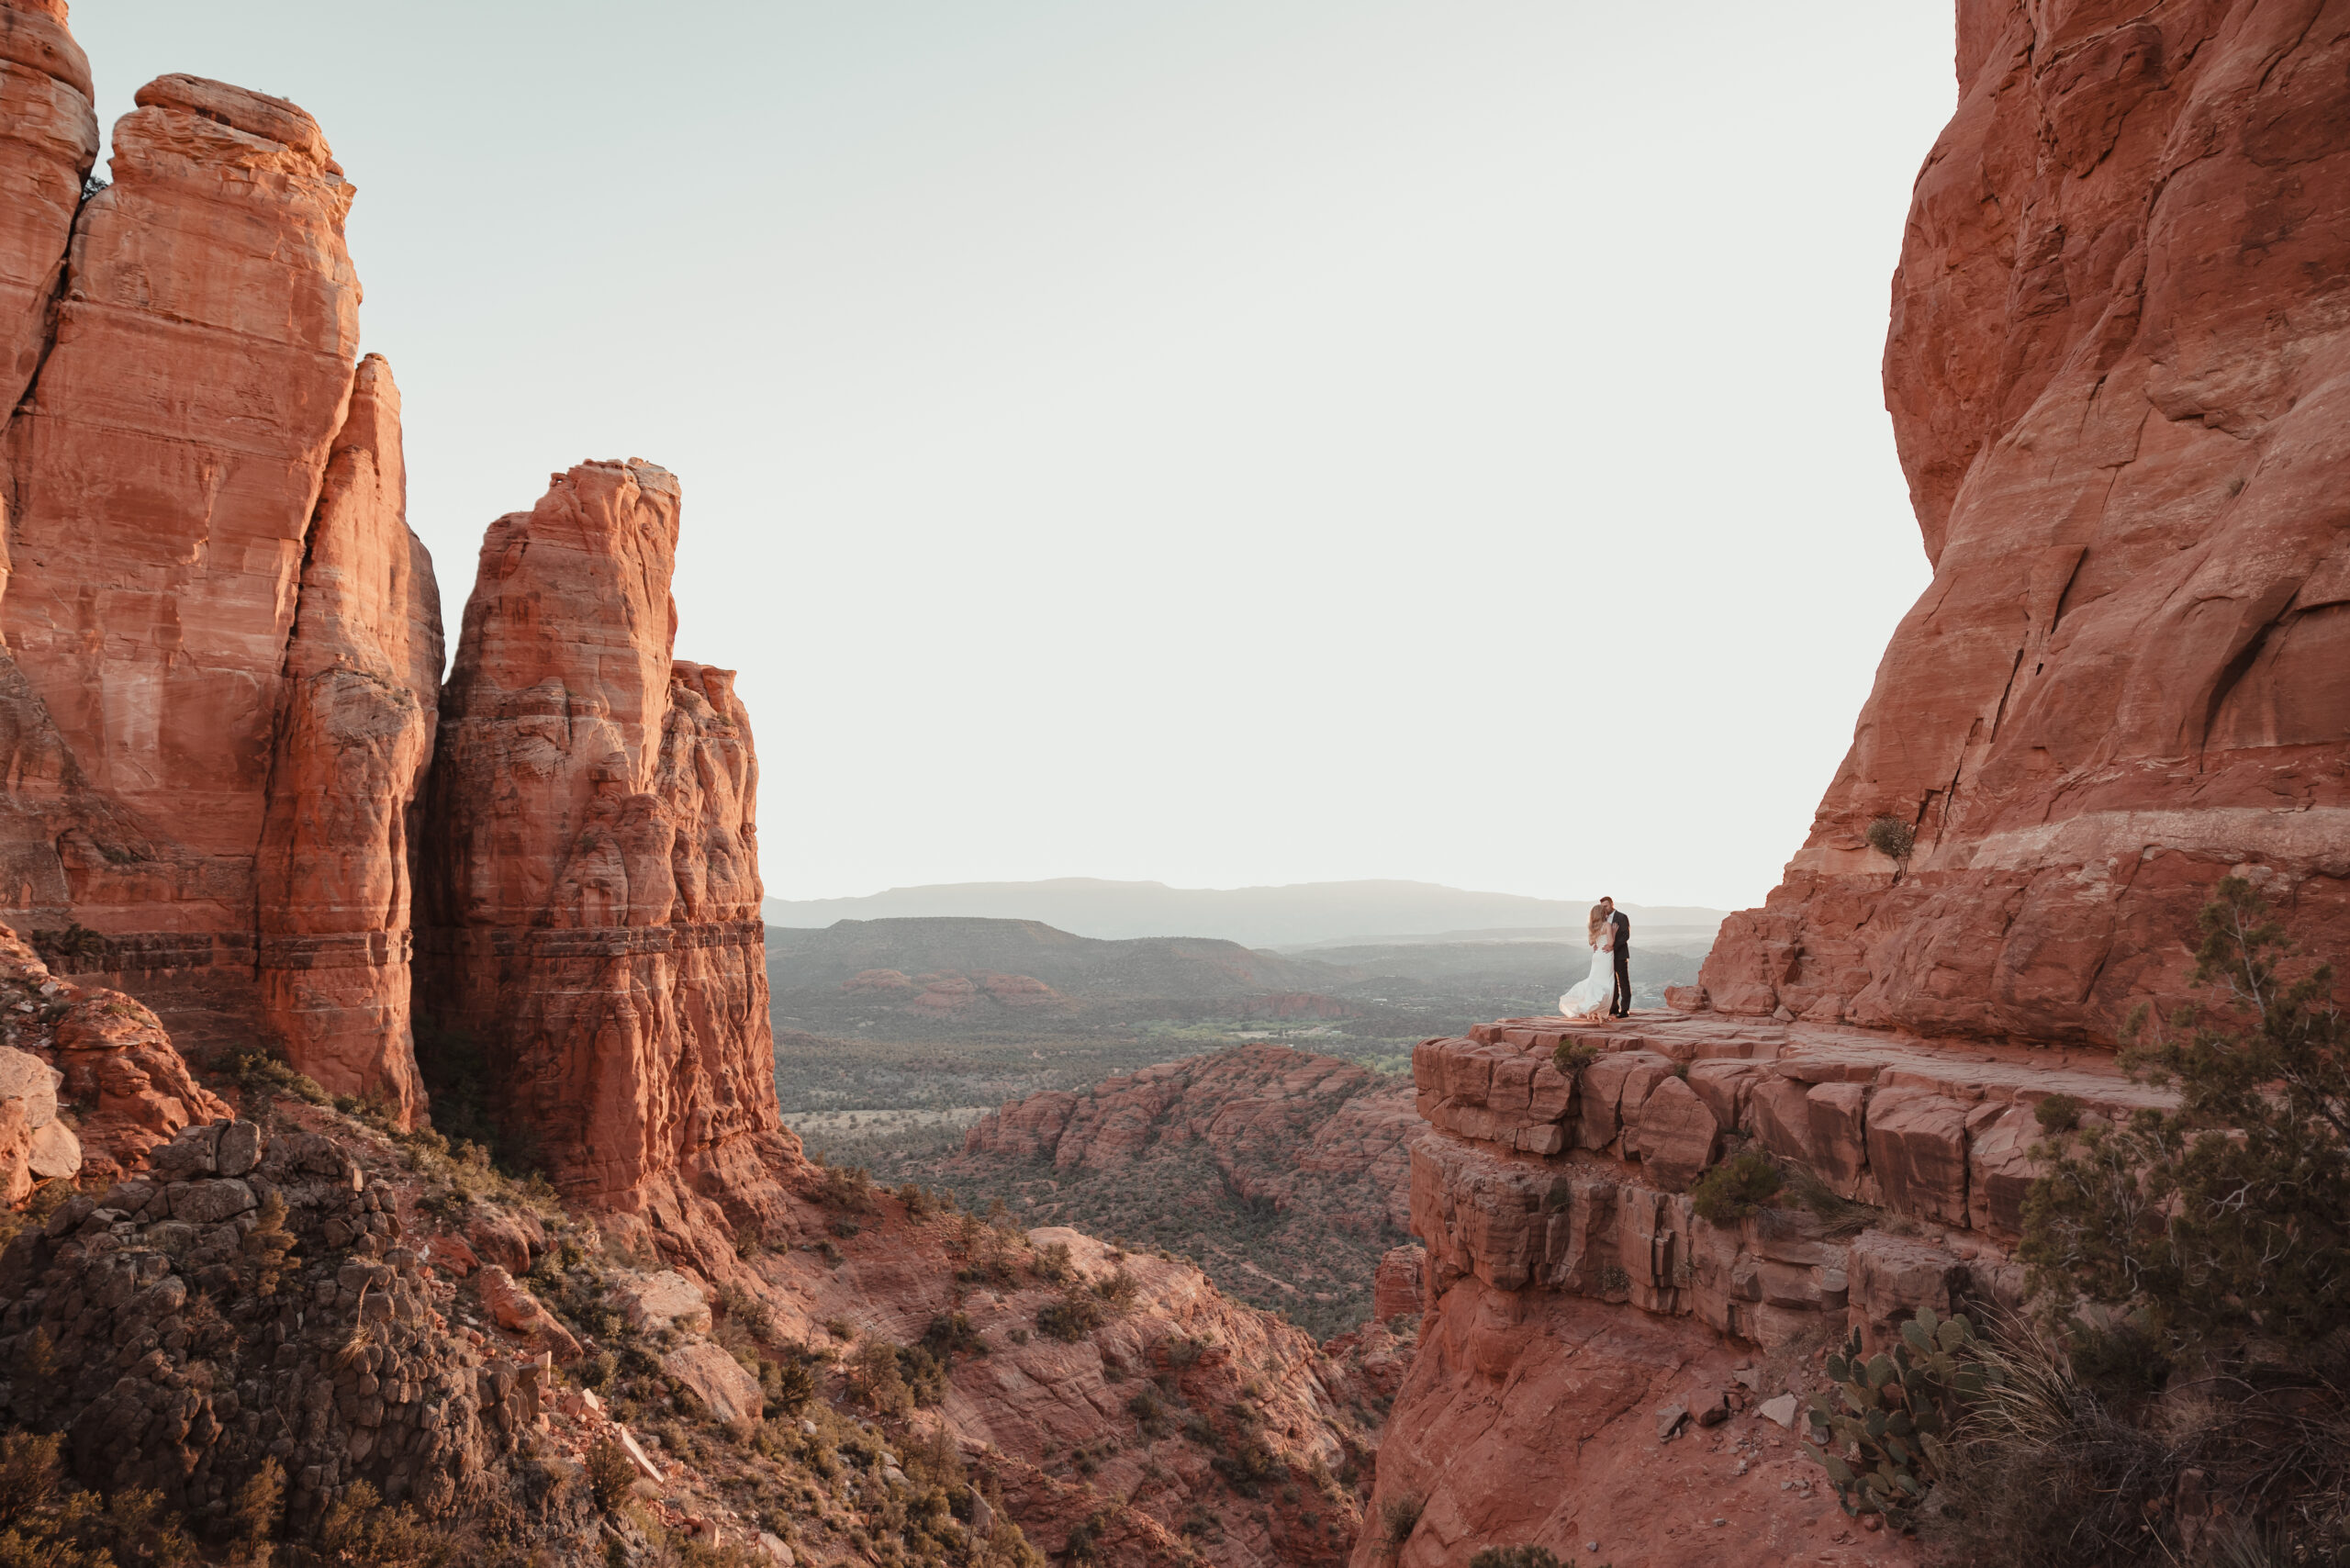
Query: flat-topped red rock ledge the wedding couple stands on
[(1569, 1266)]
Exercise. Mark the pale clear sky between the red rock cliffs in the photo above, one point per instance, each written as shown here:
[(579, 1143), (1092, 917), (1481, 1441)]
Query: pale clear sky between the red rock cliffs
[(1218, 441)]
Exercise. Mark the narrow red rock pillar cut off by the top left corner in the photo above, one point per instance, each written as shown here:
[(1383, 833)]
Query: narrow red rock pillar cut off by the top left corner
[(48, 145)]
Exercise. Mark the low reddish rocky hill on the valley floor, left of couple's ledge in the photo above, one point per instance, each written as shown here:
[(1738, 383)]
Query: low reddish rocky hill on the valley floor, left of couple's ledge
[(1282, 1172)]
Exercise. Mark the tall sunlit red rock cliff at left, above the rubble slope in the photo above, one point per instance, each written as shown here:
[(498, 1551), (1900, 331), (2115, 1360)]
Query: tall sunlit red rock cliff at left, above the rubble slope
[(220, 685)]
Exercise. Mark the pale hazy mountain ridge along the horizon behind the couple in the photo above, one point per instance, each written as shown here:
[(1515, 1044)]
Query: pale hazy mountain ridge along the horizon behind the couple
[(1256, 918)]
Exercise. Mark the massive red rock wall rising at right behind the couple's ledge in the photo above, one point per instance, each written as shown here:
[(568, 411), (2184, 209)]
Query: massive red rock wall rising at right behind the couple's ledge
[(2121, 389)]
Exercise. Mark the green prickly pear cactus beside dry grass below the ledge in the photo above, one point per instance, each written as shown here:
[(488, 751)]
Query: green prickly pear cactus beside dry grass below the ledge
[(1888, 1447)]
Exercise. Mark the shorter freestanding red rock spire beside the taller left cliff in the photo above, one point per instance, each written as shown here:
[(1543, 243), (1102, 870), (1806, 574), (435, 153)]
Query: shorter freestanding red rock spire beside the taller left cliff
[(591, 871)]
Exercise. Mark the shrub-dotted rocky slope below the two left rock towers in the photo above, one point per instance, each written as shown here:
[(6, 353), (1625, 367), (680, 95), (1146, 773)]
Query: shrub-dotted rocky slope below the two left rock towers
[(372, 1306)]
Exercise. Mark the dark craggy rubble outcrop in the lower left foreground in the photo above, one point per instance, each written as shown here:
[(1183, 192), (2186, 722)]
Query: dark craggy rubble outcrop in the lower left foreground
[(278, 1259)]
